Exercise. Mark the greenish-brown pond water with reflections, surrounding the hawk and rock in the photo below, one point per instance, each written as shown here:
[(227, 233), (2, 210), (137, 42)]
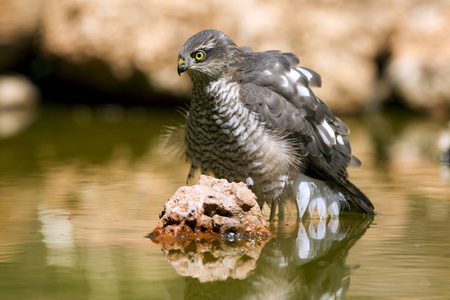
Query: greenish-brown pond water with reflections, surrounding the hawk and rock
[(81, 187)]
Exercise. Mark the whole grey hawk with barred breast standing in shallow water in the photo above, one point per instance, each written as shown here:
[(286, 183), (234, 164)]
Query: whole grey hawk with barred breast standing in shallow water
[(254, 118)]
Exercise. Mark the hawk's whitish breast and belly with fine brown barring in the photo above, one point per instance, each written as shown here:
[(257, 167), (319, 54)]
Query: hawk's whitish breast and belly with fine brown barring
[(226, 139)]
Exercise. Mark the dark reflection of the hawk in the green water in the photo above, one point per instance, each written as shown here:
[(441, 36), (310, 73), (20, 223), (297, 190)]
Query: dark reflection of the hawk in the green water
[(283, 273)]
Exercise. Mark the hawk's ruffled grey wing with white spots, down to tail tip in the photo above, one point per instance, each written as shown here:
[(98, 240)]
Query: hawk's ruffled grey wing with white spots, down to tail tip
[(279, 92)]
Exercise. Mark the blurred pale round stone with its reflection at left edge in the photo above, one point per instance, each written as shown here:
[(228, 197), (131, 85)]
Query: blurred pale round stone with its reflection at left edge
[(18, 97)]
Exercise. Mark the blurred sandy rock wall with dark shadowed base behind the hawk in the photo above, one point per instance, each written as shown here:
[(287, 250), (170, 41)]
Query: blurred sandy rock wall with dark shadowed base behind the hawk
[(370, 53)]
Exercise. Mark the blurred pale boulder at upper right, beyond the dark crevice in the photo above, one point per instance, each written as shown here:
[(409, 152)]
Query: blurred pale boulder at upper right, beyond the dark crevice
[(420, 66)]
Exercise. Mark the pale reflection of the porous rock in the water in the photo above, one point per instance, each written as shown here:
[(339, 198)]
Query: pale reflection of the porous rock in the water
[(215, 260)]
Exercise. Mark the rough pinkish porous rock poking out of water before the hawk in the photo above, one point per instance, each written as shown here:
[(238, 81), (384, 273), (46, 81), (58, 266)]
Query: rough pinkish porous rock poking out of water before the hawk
[(211, 208)]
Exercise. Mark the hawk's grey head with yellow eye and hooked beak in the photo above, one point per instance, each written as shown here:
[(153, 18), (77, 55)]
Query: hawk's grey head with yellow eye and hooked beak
[(206, 55)]
